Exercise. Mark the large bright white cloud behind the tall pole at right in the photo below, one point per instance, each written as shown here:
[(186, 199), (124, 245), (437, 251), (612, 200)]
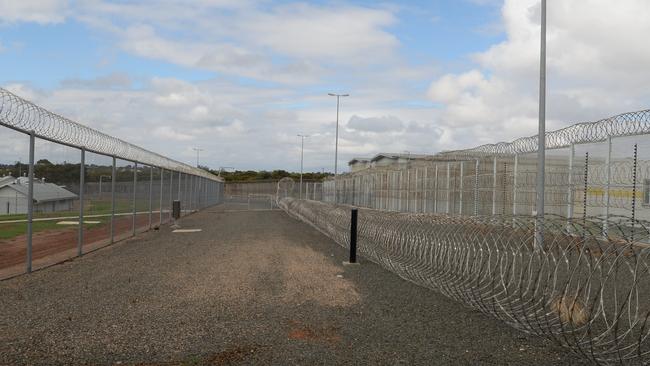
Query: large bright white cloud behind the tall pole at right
[(596, 68)]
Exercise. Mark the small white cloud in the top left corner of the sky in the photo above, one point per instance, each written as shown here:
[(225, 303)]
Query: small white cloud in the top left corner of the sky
[(38, 11)]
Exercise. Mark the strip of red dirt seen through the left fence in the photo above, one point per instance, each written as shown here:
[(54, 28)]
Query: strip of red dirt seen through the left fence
[(53, 243)]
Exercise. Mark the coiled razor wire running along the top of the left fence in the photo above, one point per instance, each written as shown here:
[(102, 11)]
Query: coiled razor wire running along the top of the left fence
[(24, 116)]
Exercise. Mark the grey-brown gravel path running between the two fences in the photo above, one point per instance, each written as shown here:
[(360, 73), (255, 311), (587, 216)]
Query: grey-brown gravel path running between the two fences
[(253, 288)]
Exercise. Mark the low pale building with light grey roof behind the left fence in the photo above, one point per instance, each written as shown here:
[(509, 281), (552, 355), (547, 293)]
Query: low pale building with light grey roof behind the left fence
[(48, 197)]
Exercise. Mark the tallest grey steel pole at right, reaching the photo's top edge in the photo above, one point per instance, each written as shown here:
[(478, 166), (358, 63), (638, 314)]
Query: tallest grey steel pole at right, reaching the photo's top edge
[(541, 135)]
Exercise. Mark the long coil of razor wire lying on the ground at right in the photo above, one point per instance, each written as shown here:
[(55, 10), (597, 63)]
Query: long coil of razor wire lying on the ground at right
[(586, 292)]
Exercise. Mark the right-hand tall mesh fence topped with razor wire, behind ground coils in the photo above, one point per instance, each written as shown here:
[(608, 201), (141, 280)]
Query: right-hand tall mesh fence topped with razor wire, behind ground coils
[(599, 169)]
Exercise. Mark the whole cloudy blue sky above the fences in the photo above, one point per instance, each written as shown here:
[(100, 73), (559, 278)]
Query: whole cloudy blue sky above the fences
[(240, 79)]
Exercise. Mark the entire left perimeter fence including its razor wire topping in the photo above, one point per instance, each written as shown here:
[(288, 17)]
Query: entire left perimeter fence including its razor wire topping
[(66, 189)]
